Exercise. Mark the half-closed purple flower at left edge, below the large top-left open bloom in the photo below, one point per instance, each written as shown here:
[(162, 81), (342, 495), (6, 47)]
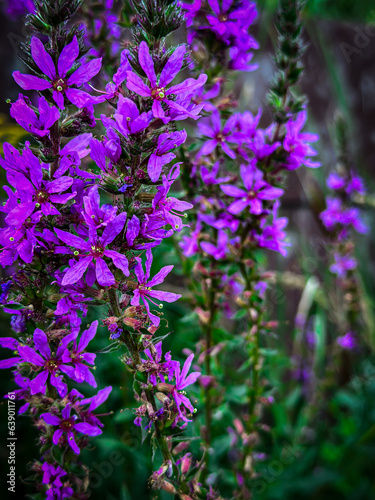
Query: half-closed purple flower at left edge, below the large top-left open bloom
[(25, 116)]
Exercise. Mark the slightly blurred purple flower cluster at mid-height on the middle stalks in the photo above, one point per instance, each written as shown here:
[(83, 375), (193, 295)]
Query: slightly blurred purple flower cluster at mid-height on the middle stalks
[(225, 206)]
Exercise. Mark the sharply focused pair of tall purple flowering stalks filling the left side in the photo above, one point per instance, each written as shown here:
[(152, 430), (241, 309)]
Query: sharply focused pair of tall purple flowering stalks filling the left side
[(81, 212)]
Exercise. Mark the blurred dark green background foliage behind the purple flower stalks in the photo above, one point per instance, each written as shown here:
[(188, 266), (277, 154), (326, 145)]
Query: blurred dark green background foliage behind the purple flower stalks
[(319, 436)]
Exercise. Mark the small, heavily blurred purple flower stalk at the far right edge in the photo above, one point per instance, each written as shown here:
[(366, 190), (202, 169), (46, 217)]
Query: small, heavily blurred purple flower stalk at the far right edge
[(342, 219)]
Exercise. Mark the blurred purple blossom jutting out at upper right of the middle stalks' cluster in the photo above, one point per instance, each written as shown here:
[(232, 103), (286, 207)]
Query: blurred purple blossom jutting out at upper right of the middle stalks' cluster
[(296, 144)]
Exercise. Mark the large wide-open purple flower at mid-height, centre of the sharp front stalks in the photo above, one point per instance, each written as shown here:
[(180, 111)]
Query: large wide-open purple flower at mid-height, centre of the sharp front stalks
[(95, 249)]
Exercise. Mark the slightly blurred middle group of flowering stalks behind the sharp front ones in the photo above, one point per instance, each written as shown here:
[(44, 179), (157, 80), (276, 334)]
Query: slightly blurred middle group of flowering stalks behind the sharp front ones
[(237, 173)]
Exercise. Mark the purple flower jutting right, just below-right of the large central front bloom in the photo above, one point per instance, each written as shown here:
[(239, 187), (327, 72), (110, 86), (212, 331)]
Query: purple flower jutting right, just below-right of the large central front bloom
[(144, 291)]
